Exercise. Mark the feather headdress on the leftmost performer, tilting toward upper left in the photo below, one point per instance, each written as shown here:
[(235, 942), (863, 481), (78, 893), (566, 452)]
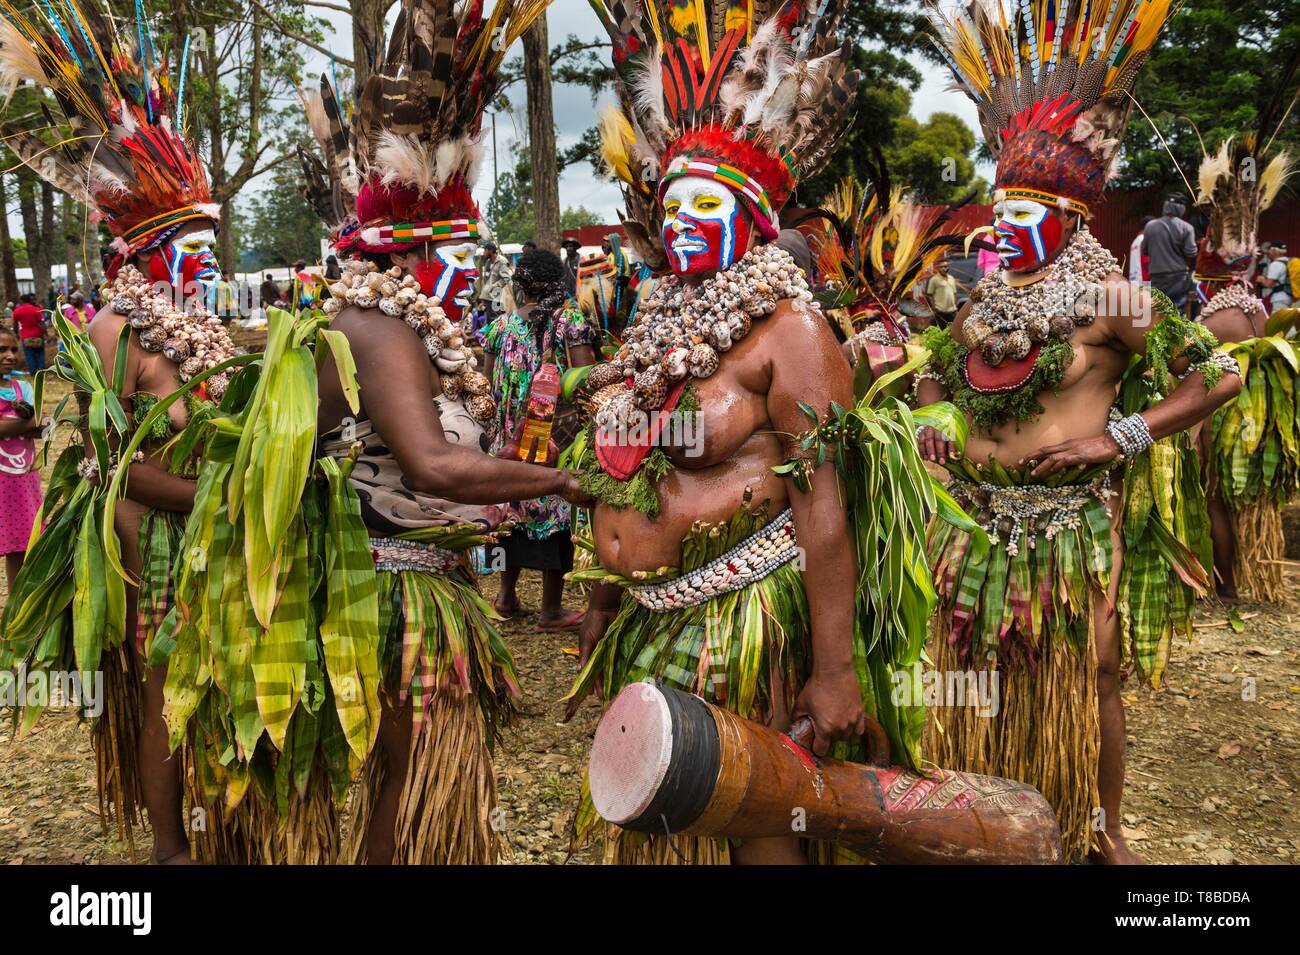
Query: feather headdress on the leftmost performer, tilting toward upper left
[(122, 146)]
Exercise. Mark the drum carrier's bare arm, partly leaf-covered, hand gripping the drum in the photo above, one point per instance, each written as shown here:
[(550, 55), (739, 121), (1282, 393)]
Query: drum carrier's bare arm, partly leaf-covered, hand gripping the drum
[(817, 374)]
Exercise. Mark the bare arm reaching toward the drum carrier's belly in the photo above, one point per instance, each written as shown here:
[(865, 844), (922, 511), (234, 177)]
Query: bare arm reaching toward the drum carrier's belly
[(393, 372)]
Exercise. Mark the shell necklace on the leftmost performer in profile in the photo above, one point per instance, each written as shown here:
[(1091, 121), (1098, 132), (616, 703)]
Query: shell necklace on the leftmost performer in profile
[(193, 338)]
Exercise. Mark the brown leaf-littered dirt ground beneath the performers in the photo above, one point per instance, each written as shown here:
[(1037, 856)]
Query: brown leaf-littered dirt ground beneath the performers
[(1214, 757)]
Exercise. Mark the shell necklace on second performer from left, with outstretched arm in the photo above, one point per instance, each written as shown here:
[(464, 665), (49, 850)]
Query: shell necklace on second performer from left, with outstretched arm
[(398, 297)]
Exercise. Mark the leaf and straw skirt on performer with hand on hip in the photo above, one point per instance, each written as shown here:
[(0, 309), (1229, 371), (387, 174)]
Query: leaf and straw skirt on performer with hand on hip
[(1026, 615)]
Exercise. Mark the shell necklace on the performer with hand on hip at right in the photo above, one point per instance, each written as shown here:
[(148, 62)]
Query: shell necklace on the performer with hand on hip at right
[(1008, 320)]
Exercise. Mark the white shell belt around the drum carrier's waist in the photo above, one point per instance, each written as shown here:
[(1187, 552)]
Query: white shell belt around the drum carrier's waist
[(747, 563)]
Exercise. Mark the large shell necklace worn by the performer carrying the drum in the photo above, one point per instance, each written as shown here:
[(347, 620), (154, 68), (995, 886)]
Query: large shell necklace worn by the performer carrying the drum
[(683, 331)]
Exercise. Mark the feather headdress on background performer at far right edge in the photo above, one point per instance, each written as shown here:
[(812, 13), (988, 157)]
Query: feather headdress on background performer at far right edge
[(1241, 181)]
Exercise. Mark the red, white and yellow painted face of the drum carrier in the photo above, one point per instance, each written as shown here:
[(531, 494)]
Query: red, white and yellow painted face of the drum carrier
[(704, 227)]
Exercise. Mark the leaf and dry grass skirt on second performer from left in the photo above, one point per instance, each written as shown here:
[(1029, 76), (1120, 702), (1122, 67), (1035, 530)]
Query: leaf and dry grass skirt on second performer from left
[(440, 650)]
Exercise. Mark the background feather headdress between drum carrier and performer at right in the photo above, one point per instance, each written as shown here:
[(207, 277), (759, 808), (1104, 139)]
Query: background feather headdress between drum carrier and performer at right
[(881, 244)]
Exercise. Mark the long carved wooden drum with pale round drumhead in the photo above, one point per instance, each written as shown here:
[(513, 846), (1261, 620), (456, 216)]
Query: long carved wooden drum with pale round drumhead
[(665, 761)]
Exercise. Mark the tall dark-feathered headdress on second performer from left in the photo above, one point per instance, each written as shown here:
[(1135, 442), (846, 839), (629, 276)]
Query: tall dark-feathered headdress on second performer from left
[(417, 125)]
